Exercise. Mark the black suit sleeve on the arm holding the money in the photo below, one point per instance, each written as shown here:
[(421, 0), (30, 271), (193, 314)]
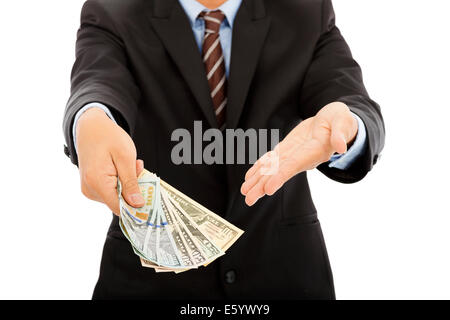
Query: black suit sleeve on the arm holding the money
[(100, 73)]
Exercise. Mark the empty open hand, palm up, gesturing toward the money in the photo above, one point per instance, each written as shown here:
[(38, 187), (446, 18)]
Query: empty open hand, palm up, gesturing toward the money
[(308, 145)]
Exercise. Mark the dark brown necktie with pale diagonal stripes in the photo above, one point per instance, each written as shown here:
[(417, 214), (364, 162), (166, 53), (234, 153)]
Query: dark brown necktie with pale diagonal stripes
[(214, 64)]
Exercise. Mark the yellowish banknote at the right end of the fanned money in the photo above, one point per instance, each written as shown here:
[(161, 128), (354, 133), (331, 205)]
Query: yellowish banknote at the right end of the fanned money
[(217, 229)]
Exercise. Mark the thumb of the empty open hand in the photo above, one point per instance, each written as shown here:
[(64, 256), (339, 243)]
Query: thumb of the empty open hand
[(343, 130)]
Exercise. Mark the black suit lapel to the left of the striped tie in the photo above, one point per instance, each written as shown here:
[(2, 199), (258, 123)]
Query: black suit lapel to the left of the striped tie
[(172, 25)]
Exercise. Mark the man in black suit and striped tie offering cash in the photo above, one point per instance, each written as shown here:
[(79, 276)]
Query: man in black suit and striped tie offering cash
[(145, 68)]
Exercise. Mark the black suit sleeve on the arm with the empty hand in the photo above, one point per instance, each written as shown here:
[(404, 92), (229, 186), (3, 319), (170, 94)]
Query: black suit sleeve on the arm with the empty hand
[(334, 75)]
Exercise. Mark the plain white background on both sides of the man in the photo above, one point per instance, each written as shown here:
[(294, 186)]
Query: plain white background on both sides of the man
[(388, 236)]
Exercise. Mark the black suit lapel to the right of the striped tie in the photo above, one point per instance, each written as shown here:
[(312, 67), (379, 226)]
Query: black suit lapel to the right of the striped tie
[(249, 32)]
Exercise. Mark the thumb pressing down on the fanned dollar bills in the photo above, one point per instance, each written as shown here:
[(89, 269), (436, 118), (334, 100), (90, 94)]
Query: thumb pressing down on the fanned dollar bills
[(127, 168)]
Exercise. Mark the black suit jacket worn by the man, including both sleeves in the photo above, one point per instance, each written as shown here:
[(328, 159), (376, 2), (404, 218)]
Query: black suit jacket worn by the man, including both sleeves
[(288, 60)]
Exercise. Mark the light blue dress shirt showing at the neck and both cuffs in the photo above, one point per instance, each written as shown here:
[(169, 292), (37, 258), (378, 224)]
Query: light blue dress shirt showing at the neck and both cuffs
[(230, 9)]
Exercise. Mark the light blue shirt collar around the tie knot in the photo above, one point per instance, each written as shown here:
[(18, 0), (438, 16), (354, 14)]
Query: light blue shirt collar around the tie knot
[(193, 9)]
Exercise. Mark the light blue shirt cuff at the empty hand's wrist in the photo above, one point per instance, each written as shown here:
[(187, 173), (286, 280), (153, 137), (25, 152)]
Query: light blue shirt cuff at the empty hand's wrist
[(344, 161)]
